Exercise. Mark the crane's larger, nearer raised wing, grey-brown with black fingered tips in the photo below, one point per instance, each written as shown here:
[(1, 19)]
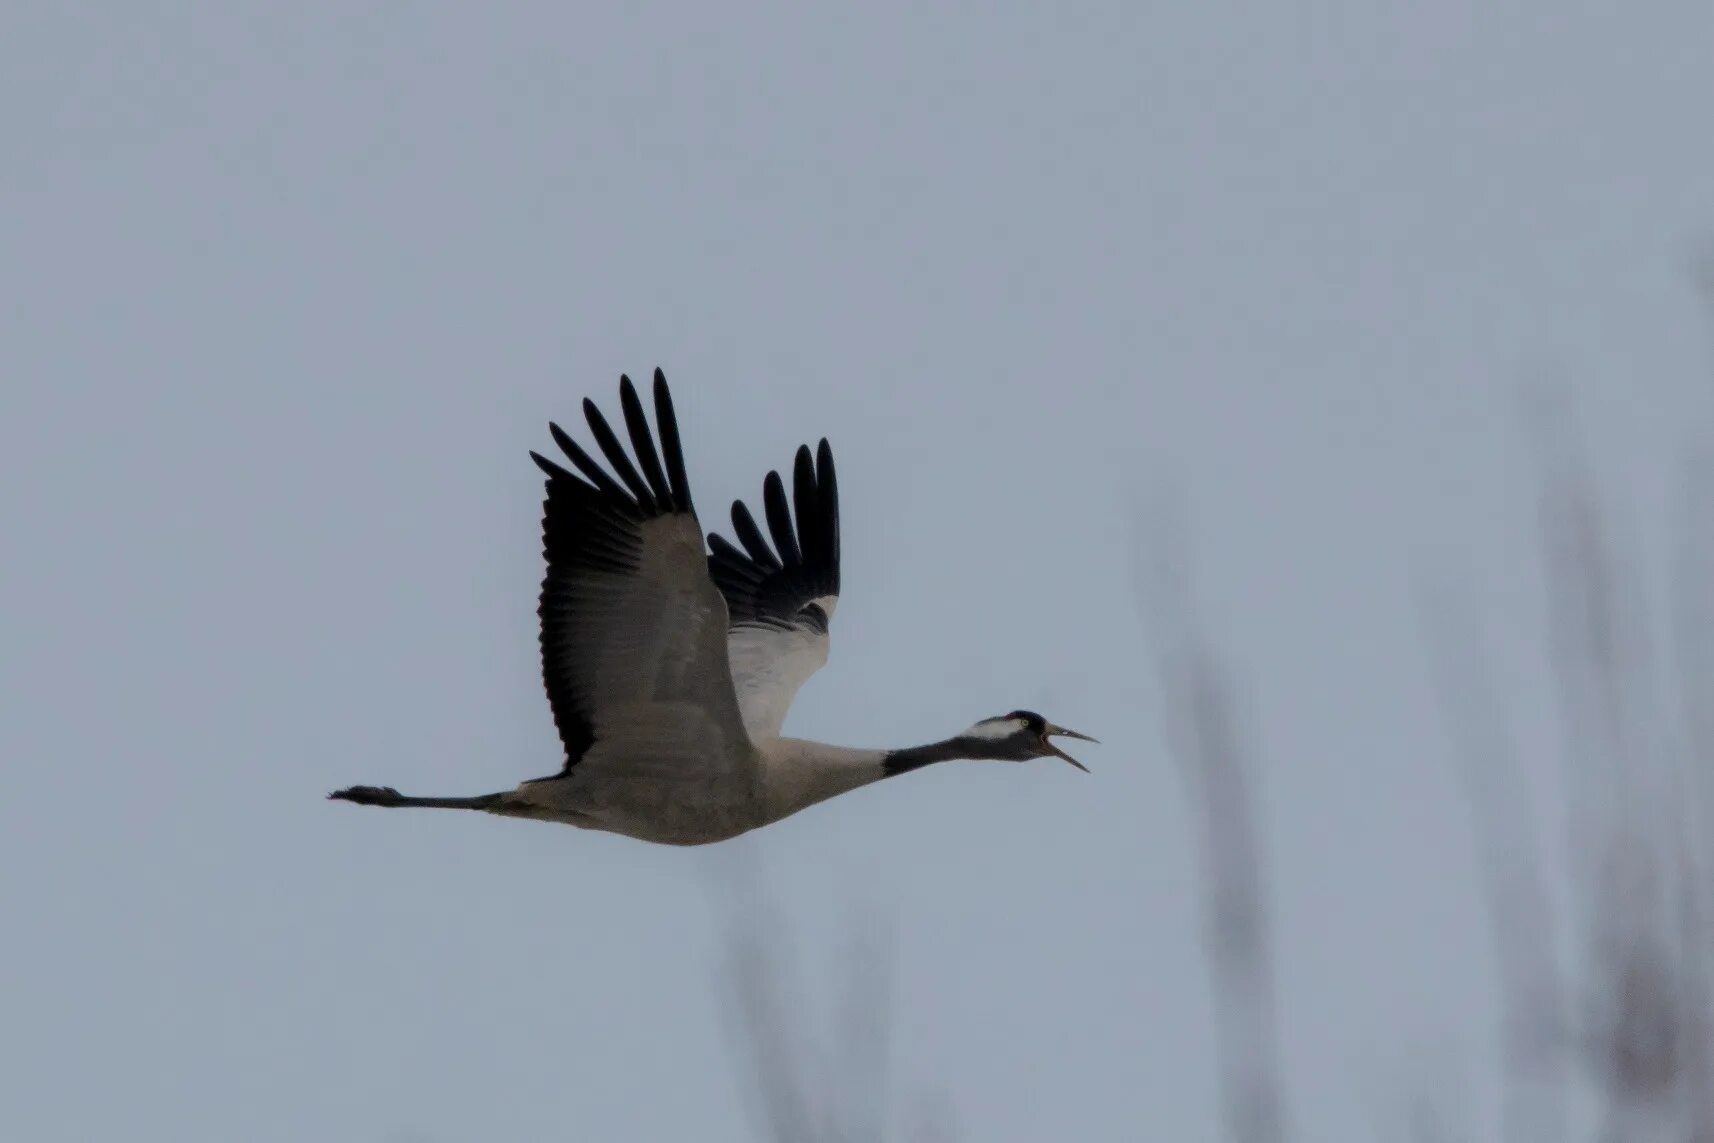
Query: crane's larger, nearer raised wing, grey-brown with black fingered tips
[(633, 628)]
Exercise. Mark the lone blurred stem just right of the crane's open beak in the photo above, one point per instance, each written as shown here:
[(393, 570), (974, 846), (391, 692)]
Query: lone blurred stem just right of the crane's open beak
[(1206, 734)]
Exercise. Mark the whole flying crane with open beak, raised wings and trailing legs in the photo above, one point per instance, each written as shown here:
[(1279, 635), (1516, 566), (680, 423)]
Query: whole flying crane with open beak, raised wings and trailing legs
[(671, 667)]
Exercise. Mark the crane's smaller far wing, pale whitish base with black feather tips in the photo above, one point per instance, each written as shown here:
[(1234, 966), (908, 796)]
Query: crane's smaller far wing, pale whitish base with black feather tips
[(781, 602)]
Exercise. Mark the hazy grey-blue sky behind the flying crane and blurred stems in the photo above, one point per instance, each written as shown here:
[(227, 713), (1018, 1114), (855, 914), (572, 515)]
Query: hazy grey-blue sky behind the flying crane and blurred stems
[(287, 294)]
